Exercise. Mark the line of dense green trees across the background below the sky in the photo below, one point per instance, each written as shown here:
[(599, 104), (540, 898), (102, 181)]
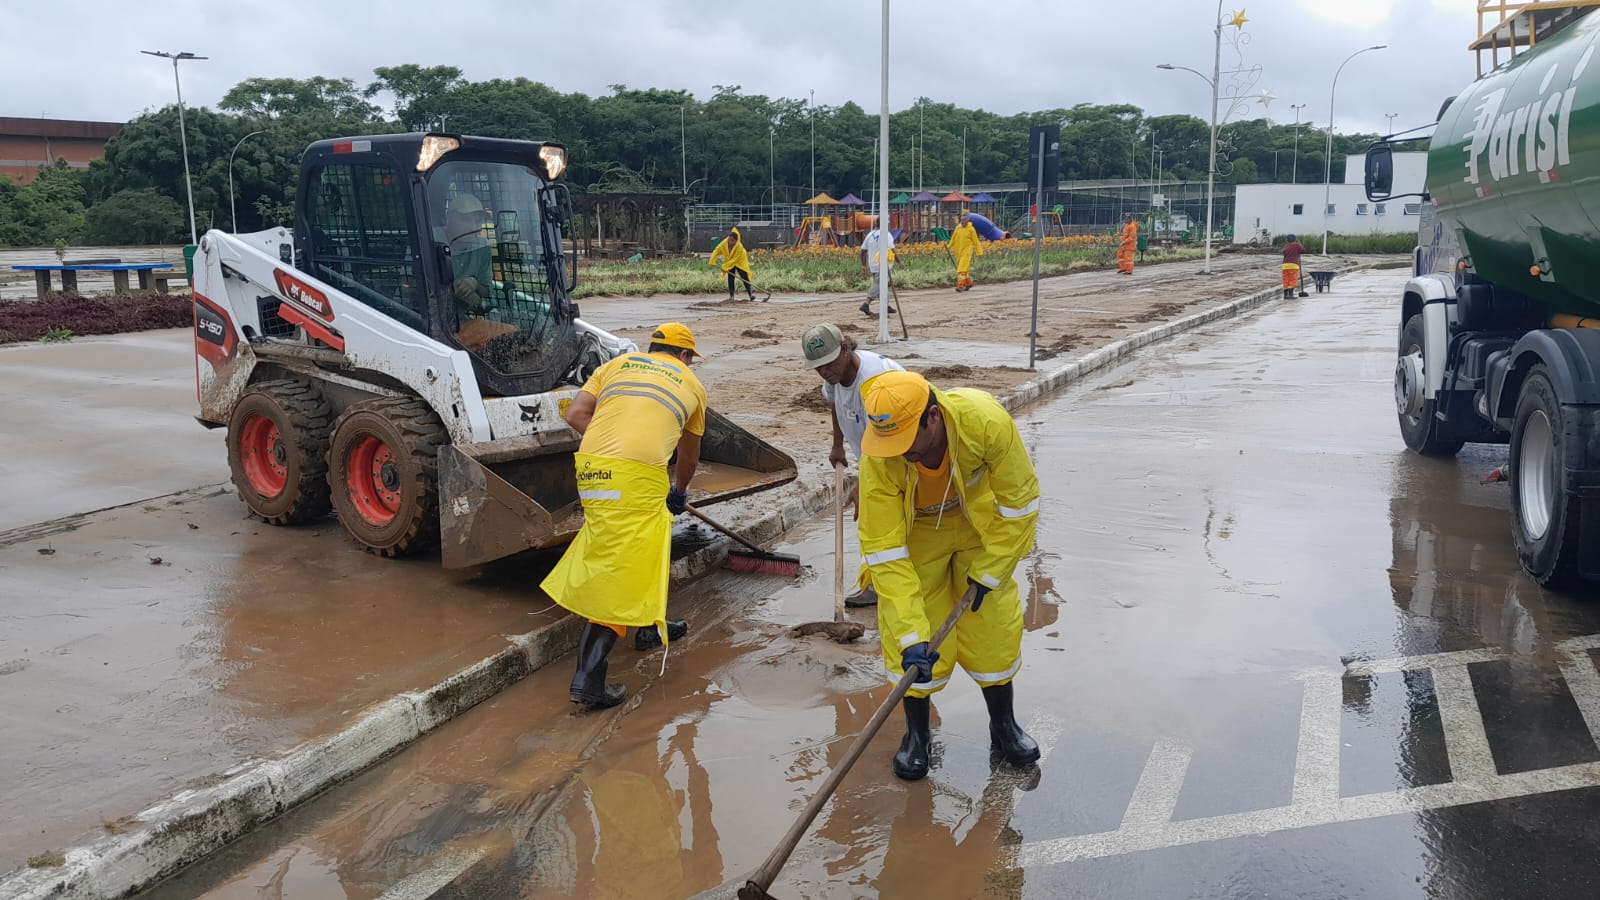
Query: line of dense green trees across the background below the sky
[(732, 148)]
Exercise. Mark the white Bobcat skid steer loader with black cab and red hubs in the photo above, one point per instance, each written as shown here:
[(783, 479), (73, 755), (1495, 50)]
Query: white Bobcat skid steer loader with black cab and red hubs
[(407, 353)]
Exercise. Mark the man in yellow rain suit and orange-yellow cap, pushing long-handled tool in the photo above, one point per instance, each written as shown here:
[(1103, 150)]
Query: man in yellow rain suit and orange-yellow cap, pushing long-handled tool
[(948, 500)]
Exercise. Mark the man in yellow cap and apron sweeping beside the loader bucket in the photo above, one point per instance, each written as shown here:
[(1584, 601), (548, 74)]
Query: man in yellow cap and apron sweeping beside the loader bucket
[(634, 412)]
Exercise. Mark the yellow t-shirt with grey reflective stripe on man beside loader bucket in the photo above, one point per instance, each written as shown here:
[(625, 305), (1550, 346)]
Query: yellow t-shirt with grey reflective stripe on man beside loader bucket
[(644, 406)]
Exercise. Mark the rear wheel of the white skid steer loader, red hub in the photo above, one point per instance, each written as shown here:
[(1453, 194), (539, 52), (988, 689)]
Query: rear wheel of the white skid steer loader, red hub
[(278, 451)]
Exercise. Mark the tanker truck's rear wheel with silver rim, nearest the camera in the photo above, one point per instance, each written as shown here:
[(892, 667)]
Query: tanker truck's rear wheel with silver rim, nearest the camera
[(1543, 516)]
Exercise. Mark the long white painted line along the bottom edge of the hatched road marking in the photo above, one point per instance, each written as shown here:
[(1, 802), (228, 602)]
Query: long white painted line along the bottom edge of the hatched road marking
[(1310, 816)]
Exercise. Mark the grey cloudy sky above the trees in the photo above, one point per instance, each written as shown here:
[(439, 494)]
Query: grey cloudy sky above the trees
[(82, 58)]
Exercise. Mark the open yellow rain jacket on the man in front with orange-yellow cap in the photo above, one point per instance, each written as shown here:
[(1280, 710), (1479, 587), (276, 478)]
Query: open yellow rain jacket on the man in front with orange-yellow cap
[(999, 492)]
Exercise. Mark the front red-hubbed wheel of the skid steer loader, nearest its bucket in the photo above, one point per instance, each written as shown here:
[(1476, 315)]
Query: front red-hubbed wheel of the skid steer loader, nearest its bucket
[(383, 468)]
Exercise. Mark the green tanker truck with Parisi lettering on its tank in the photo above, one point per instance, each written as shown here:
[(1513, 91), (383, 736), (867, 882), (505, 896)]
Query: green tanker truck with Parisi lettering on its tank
[(1500, 324)]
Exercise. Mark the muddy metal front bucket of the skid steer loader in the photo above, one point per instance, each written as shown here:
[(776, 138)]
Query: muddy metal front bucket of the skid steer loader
[(505, 497)]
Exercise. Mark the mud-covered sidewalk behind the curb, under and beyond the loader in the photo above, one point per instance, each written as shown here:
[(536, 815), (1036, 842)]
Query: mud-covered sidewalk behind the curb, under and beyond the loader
[(154, 638)]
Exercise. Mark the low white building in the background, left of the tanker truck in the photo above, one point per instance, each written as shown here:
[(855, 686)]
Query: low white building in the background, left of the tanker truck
[(1297, 209)]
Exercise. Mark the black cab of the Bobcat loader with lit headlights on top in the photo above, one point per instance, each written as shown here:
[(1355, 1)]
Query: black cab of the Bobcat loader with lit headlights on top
[(454, 236)]
